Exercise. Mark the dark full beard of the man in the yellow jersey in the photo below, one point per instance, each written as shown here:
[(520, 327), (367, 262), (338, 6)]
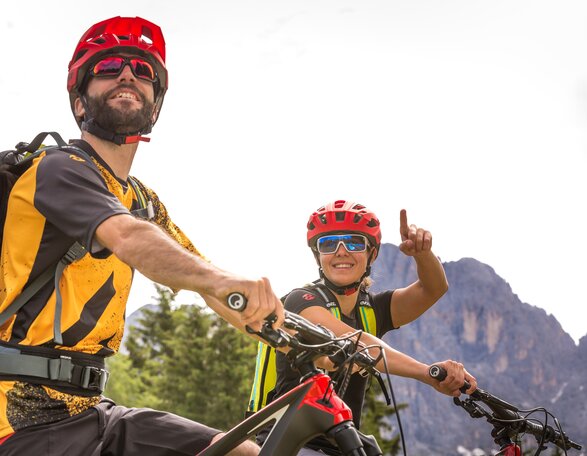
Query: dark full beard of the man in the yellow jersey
[(124, 118)]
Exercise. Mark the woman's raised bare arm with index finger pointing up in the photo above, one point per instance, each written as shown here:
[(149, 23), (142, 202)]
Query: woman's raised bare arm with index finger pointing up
[(409, 303)]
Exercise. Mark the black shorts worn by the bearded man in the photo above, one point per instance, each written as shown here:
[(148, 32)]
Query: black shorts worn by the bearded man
[(112, 430)]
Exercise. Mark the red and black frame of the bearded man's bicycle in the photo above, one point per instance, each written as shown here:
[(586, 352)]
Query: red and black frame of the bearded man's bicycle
[(307, 411)]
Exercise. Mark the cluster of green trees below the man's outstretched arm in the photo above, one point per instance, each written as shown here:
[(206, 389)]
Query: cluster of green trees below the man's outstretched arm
[(185, 360)]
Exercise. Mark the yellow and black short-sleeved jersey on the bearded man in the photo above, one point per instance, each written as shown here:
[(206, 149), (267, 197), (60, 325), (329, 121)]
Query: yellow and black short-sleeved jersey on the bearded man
[(59, 200)]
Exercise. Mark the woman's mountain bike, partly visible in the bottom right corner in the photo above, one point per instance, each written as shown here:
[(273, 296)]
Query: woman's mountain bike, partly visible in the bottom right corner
[(509, 422)]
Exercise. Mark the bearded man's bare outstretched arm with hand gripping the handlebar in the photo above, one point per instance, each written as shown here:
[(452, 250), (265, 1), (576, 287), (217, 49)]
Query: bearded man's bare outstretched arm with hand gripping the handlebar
[(147, 248)]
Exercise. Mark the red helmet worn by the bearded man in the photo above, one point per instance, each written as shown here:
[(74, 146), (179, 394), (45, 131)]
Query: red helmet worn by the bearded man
[(132, 35)]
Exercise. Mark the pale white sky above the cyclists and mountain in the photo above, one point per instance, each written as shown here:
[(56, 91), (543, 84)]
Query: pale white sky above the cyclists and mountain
[(471, 115)]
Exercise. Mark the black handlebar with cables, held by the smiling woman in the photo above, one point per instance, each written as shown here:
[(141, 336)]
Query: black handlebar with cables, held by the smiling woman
[(505, 417)]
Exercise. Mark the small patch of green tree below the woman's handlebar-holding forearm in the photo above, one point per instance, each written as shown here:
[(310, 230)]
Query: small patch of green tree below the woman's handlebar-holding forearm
[(375, 420)]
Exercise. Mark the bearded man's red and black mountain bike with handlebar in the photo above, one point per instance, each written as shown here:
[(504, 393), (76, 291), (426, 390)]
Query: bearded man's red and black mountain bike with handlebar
[(313, 408)]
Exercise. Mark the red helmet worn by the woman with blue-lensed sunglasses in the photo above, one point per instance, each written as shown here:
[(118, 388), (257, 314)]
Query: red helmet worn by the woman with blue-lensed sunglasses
[(344, 216)]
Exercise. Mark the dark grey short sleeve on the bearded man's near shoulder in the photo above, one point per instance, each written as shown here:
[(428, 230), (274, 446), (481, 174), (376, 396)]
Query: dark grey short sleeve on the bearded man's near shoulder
[(72, 195)]
